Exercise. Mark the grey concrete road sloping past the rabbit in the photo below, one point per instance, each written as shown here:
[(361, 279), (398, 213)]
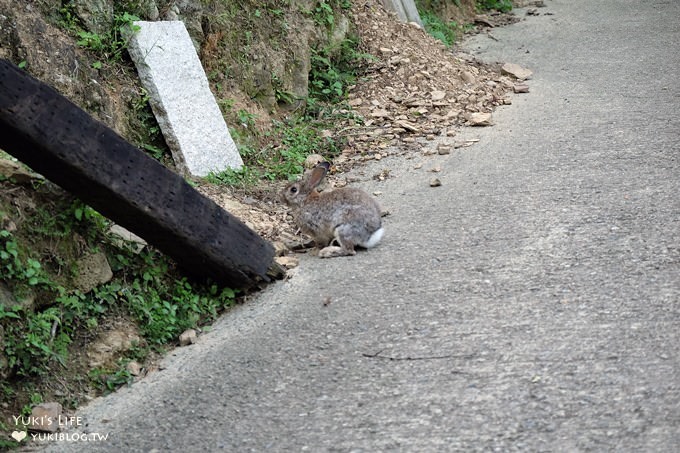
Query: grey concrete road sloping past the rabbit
[(530, 303)]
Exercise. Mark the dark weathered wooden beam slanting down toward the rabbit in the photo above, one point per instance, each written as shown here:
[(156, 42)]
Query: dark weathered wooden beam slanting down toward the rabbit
[(56, 138)]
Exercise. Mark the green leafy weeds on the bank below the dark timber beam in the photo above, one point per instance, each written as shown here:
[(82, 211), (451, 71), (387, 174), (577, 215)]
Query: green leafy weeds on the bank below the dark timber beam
[(148, 287)]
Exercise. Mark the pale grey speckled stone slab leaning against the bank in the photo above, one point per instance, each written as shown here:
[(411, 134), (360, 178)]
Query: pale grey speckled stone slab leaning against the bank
[(180, 96)]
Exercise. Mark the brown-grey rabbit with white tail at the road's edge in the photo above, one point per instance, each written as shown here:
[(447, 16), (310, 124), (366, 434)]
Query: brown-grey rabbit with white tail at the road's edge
[(348, 216)]
